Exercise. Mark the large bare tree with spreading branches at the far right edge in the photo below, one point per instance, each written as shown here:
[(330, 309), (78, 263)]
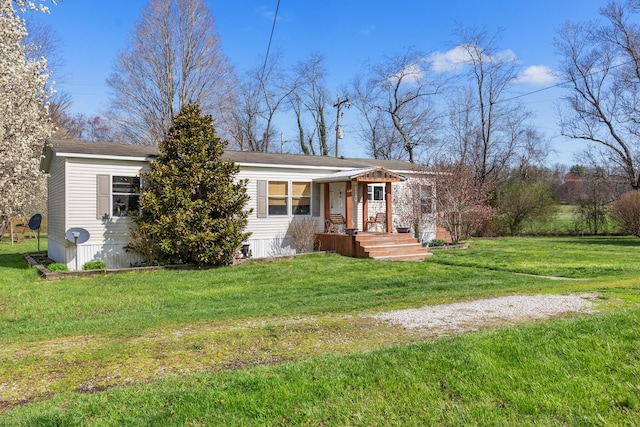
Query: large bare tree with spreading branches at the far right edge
[(601, 64)]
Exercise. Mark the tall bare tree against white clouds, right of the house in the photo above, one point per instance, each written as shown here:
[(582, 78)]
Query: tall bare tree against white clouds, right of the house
[(489, 130)]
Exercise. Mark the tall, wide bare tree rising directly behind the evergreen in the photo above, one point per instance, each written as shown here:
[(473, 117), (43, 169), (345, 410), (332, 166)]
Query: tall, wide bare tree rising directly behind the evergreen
[(174, 58)]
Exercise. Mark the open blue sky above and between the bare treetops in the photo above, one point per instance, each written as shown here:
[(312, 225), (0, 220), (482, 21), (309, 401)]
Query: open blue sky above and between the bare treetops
[(348, 32)]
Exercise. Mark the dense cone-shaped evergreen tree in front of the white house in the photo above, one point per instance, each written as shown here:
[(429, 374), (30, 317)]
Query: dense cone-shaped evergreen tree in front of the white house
[(192, 206)]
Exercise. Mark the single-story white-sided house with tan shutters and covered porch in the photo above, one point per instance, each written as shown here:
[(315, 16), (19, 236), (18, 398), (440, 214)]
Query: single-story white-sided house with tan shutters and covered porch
[(94, 187)]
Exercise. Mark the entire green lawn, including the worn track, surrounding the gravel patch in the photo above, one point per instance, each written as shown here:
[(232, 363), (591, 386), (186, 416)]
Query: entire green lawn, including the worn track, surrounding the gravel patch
[(179, 347)]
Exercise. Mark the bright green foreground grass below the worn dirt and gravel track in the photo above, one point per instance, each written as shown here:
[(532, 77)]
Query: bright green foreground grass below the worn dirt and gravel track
[(568, 372)]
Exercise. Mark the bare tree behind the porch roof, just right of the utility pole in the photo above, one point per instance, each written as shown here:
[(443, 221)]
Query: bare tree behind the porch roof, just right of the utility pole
[(401, 88)]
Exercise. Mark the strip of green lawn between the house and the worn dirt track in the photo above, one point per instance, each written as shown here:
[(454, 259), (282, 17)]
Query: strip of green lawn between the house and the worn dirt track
[(130, 304)]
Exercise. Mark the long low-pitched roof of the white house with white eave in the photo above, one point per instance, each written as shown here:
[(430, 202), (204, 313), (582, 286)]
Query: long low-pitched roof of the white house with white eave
[(108, 150)]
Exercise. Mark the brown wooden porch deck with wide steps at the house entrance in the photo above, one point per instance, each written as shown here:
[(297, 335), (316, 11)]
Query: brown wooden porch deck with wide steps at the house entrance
[(382, 246)]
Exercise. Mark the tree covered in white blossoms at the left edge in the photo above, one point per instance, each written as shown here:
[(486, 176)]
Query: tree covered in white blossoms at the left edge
[(23, 111)]
